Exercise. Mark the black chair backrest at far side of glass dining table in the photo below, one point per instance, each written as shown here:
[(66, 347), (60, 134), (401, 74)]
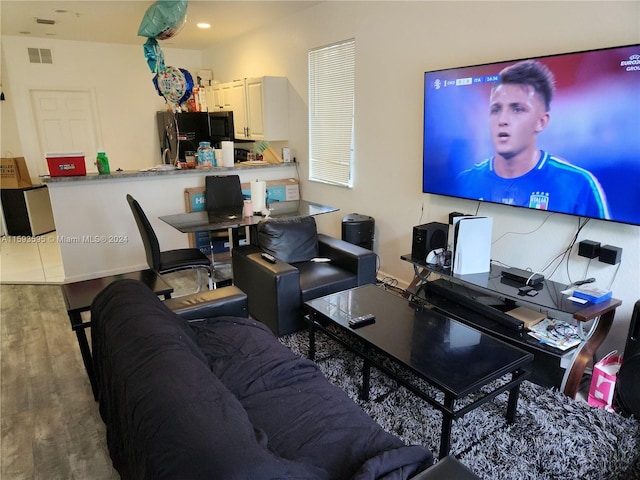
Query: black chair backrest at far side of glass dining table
[(223, 199)]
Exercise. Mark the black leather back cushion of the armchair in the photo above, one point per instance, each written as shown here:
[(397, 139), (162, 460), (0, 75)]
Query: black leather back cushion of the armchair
[(289, 239)]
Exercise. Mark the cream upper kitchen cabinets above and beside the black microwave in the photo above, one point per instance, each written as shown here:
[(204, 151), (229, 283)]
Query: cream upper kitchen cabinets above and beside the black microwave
[(260, 107)]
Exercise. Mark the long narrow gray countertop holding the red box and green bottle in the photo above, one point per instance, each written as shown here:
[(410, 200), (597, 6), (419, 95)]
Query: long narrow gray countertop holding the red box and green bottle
[(160, 173)]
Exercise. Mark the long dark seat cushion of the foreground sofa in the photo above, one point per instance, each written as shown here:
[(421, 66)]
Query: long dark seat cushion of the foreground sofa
[(305, 418)]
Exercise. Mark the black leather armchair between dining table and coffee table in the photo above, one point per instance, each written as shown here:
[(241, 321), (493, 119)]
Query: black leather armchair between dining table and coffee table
[(277, 291)]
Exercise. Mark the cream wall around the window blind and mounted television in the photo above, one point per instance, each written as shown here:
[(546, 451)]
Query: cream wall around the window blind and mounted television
[(395, 43)]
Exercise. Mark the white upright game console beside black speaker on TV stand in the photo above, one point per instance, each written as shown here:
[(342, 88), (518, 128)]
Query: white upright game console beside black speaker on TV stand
[(472, 245)]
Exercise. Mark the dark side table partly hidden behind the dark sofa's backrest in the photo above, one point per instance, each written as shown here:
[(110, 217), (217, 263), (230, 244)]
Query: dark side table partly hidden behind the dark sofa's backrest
[(78, 297)]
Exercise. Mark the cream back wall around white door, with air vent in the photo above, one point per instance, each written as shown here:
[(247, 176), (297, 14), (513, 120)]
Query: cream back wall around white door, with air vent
[(121, 82)]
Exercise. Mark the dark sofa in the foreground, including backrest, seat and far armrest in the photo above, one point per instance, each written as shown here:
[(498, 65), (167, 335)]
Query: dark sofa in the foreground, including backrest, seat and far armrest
[(219, 397)]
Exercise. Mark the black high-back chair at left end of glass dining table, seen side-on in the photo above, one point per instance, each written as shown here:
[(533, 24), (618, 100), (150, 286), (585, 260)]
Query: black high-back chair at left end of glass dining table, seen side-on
[(169, 260)]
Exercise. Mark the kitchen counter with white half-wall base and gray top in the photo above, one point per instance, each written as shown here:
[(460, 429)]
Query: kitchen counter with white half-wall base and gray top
[(96, 230)]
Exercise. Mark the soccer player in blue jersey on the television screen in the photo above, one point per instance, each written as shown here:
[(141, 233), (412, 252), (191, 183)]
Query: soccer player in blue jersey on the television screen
[(519, 173)]
